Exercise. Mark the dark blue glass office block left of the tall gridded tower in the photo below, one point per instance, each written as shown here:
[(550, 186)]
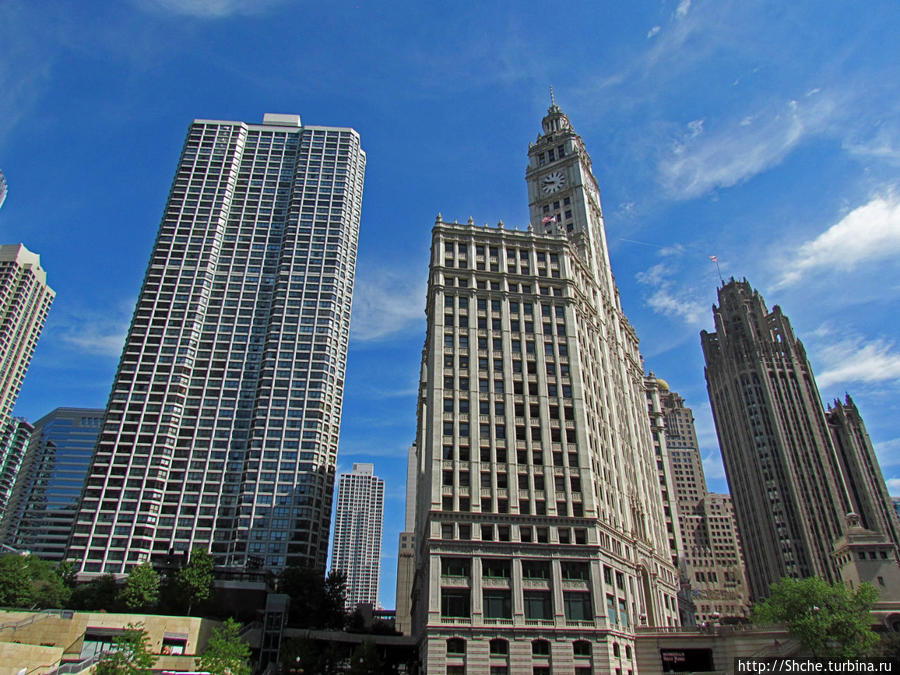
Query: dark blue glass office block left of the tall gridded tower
[(45, 494)]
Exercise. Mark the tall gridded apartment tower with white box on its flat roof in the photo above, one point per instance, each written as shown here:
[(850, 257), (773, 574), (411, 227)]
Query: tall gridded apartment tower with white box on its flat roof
[(221, 430)]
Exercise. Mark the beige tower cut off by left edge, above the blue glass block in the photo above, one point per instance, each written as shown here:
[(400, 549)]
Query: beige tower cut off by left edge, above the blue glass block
[(25, 300)]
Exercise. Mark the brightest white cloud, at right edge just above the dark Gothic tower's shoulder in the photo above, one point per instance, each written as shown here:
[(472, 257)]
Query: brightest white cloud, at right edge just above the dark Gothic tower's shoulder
[(869, 232)]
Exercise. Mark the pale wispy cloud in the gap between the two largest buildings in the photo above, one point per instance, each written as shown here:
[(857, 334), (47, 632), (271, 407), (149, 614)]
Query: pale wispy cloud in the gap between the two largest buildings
[(386, 303)]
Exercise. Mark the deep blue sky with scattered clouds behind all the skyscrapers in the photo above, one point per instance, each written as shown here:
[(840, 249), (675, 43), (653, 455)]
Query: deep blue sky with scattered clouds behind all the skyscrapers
[(766, 133)]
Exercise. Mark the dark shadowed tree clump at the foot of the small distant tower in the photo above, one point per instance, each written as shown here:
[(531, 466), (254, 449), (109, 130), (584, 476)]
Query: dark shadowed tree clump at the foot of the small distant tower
[(315, 602)]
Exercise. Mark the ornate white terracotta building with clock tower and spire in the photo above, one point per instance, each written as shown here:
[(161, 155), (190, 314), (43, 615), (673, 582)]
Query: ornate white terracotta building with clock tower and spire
[(540, 536)]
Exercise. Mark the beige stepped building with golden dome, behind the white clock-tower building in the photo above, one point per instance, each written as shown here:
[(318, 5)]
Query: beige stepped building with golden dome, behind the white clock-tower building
[(708, 548)]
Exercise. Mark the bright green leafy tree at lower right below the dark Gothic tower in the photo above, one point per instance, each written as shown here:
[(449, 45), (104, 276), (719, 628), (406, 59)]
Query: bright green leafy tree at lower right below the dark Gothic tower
[(828, 619)]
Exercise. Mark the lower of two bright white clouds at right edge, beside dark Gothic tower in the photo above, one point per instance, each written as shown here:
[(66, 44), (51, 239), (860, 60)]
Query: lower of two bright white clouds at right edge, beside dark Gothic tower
[(856, 361)]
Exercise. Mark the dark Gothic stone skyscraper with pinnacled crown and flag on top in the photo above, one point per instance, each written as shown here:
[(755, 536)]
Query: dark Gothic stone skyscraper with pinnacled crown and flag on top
[(792, 494)]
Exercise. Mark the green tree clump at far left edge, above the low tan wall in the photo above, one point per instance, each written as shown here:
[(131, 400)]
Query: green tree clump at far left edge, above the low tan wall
[(29, 582)]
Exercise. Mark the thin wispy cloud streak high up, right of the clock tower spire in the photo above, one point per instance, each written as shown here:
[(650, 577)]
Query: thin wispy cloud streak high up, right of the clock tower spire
[(700, 162)]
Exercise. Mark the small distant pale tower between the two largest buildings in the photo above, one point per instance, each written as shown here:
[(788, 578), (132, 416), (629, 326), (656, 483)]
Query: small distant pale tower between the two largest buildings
[(357, 534)]
